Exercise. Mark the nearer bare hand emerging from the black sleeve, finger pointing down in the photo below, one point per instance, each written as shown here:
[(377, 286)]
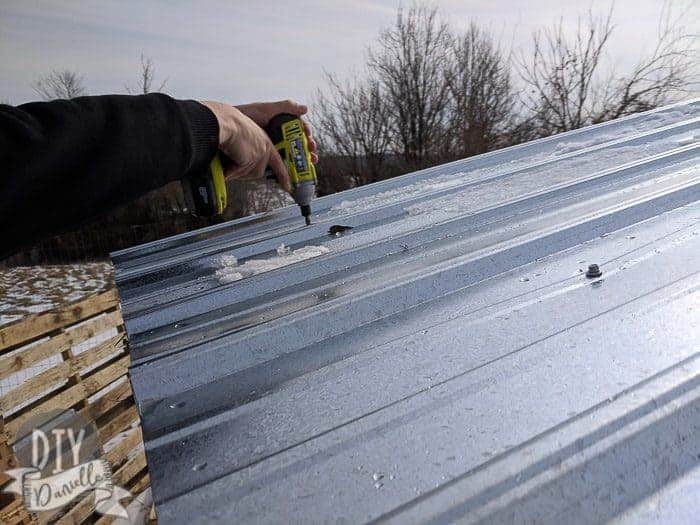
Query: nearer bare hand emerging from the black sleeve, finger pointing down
[(247, 145)]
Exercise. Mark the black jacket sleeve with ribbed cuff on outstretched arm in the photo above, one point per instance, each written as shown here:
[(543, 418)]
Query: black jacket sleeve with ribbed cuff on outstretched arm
[(66, 161)]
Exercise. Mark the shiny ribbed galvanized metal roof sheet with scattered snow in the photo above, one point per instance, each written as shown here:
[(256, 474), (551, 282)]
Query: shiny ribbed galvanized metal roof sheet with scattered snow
[(446, 359)]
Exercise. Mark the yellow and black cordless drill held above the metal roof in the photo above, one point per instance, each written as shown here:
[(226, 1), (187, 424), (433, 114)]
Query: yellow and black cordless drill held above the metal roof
[(206, 192)]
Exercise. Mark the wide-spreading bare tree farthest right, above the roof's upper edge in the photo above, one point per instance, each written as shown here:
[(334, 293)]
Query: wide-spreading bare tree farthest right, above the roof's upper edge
[(568, 85)]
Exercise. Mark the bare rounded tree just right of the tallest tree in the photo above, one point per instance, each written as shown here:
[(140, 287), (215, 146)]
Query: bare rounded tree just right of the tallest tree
[(482, 97)]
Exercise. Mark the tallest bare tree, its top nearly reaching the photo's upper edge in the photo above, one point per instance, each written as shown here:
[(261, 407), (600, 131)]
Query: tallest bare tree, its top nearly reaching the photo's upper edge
[(410, 63)]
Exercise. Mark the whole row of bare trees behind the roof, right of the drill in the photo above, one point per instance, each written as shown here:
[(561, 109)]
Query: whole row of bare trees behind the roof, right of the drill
[(430, 94)]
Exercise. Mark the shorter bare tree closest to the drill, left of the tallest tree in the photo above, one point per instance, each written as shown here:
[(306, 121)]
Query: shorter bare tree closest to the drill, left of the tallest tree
[(353, 121)]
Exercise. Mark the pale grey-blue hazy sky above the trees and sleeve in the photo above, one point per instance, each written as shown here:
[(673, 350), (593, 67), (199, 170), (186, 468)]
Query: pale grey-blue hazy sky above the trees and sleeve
[(241, 51)]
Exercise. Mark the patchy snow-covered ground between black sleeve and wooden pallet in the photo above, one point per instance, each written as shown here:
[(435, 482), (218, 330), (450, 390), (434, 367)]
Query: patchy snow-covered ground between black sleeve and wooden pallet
[(26, 290)]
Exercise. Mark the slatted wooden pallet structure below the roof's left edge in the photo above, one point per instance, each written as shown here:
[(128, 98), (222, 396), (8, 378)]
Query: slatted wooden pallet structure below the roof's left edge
[(92, 382)]
